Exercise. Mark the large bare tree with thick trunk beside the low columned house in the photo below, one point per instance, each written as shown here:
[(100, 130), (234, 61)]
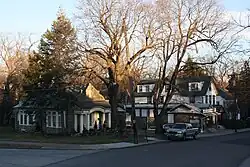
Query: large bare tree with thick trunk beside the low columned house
[(116, 34)]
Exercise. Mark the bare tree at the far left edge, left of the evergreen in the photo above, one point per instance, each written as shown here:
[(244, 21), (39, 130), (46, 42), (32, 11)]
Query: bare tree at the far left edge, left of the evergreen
[(13, 54)]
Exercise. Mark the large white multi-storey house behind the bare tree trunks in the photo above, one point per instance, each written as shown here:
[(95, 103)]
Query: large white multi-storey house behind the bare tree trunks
[(201, 92)]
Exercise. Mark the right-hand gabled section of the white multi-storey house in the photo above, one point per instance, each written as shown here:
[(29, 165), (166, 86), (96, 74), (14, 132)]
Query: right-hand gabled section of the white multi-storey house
[(204, 93)]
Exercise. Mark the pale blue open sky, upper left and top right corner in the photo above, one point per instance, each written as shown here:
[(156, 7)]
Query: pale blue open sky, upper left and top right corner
[(35, 16)]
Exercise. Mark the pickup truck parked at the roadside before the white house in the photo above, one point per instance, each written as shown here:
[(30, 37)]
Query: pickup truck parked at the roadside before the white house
[(182, 131)]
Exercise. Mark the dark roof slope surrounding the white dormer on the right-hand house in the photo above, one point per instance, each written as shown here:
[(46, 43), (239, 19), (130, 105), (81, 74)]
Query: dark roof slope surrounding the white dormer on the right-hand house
[(183, 85)]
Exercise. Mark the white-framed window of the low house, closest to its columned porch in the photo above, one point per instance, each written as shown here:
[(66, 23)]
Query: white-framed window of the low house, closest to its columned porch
[(54, 120)]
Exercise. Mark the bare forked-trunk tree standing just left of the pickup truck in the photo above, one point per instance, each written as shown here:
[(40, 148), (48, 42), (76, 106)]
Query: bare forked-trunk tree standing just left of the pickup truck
[(188, 26)]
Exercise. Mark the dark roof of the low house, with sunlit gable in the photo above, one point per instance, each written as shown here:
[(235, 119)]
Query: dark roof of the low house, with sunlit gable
[(60, 100)]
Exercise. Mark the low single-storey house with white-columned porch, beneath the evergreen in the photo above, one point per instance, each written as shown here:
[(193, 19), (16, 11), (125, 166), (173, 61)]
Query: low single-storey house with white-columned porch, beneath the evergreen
[(69, 111)]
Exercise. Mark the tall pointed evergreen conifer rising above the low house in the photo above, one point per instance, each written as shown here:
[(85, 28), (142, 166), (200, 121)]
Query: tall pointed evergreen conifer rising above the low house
[(56, 60)]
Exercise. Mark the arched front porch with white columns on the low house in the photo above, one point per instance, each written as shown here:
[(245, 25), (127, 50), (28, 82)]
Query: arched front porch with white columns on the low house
[(86, 119)]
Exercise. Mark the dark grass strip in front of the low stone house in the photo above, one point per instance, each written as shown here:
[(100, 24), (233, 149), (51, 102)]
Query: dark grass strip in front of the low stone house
[(10, 135)]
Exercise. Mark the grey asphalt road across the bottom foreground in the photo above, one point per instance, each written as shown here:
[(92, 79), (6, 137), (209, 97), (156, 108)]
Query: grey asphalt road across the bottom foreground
[(223, 151)]
